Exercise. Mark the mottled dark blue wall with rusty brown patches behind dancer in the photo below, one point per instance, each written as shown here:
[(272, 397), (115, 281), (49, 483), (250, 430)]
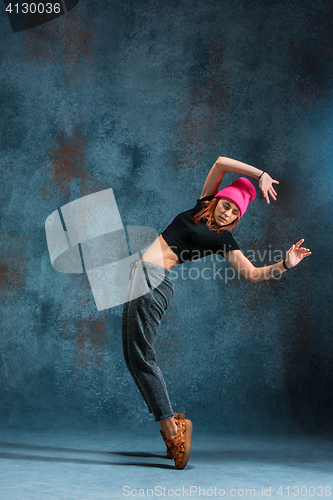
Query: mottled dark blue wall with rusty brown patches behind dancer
[(142, 97)]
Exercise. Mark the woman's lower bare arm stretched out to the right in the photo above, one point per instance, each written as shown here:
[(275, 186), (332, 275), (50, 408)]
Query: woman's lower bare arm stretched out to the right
[(256, 274)]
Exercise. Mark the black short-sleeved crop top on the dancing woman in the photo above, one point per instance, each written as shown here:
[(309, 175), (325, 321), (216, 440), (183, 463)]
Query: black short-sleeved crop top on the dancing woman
[(191, 241)]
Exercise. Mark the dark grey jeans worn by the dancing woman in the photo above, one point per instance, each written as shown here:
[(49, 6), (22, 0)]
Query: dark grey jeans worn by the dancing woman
[(141, 320)]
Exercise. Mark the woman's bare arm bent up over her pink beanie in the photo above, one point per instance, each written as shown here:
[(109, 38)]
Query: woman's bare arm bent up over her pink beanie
[(223, 165)]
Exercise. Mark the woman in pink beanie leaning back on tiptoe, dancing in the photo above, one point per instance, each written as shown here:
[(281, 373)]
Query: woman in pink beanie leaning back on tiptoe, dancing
[(193, 234)]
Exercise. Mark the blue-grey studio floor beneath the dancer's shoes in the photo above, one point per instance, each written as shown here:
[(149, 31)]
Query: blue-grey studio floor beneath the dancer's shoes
[(87, 465)]
